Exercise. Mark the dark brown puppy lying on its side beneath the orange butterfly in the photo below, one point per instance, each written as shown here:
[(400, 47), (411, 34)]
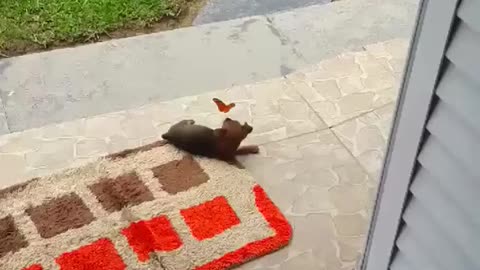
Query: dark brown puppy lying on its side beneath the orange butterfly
[(221, 143)]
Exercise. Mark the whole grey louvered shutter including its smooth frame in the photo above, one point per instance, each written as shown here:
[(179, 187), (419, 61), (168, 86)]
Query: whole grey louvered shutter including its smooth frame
[(436, 218)]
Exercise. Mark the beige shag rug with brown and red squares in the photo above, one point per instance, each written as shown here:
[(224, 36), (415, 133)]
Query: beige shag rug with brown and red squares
[(152, 207)]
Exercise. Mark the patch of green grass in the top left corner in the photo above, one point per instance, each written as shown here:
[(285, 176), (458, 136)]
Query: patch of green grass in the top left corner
[(32, 23)]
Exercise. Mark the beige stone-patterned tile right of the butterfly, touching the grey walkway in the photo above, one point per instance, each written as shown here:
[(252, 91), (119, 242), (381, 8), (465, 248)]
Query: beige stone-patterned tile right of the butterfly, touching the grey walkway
[(353, 83)]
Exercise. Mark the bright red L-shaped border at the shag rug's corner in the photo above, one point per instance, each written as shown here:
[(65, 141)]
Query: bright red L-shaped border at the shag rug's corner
[(276, 220)]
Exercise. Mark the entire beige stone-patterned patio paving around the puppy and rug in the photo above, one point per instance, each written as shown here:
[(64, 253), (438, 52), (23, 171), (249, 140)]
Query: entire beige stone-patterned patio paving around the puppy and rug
[(322, 132)]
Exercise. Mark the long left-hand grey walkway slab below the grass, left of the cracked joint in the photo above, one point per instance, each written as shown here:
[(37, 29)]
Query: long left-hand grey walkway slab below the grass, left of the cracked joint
[(77, 82)]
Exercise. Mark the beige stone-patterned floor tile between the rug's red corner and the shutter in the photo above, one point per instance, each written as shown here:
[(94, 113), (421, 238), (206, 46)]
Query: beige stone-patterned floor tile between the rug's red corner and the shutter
[(315, 181)]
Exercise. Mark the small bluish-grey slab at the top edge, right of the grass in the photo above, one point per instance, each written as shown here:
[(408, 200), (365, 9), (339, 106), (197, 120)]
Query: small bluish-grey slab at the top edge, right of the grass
[(222, 10)]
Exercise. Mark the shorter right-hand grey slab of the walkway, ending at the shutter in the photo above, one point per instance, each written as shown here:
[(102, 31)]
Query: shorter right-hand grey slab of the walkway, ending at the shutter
[(319, 32)]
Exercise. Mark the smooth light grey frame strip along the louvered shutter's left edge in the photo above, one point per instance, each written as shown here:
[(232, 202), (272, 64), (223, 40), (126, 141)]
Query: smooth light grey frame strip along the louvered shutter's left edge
[(431, 34)]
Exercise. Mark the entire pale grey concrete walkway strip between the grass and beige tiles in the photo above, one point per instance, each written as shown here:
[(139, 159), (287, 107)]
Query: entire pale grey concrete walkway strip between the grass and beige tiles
[(72, 83)]
